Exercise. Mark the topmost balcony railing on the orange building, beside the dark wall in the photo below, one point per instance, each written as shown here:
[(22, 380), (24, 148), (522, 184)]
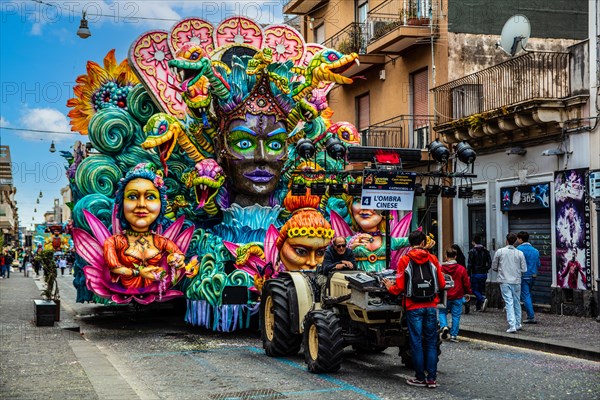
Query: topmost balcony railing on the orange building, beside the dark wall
[(392, 14)]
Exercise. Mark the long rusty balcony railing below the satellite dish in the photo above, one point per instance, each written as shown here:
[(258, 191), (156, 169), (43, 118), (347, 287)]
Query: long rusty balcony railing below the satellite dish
[(530, 76)]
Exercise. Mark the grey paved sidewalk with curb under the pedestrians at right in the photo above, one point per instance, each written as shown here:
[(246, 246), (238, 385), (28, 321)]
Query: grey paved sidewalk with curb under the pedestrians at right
[(572, 336)]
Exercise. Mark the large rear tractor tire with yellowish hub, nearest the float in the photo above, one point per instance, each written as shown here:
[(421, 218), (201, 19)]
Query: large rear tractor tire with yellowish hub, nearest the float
[(276, 324)]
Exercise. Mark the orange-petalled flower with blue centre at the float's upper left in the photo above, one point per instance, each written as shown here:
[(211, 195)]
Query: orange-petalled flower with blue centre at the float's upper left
[(100, 88)]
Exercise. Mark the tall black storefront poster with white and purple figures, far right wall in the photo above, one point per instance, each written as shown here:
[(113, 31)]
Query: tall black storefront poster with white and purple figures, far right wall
[(572, 213)]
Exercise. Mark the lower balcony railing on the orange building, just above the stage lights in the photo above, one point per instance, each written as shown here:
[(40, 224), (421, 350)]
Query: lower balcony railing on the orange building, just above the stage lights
[(405, 131)]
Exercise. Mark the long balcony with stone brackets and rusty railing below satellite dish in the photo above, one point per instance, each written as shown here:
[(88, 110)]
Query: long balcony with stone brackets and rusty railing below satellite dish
[(525, 99)]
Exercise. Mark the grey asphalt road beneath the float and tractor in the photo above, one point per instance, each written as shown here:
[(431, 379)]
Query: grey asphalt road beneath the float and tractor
[(160, 357)]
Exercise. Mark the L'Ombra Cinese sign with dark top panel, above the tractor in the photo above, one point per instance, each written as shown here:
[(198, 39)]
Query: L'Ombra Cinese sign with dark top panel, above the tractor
[(388, 190)]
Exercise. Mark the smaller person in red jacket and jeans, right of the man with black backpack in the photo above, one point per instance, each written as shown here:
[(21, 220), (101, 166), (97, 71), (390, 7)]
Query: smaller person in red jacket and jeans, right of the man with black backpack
[(455, 295)]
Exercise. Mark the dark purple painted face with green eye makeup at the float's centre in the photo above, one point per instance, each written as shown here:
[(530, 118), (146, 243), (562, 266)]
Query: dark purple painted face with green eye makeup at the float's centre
[(257, 151)]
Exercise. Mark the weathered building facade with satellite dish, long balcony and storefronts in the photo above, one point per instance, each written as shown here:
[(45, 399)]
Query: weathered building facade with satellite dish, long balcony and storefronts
[(528, 117)]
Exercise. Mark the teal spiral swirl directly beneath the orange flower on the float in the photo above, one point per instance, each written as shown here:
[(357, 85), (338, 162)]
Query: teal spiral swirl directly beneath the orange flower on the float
[(112, 129)]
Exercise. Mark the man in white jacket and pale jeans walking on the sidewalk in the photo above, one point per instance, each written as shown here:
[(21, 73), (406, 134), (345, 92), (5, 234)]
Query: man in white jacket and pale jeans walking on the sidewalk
[(510, 265)]
